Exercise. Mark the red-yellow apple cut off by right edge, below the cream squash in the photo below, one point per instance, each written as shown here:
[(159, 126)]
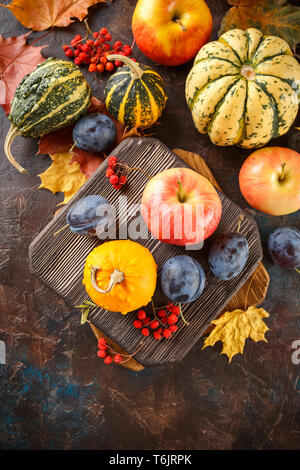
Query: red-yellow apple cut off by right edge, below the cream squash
[(270, 180)]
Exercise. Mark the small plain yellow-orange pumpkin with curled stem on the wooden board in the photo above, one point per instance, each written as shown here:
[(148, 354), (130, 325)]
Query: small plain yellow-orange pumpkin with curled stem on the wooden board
[(120, 276)]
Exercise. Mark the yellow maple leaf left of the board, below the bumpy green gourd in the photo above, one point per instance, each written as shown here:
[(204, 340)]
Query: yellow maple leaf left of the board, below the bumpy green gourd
[(63, 175)]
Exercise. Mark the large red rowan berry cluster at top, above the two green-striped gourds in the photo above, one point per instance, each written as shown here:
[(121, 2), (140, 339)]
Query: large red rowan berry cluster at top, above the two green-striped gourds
[(93, 52)]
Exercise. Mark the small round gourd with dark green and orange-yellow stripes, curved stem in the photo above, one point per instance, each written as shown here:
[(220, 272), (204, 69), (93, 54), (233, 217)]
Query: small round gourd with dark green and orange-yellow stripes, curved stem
[(135, 94)]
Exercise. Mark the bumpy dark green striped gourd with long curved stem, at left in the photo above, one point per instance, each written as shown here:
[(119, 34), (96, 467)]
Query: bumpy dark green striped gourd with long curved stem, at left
[(52, 96)]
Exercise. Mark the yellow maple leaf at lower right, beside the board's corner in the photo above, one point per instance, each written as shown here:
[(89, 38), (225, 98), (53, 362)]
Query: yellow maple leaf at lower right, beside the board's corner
[(233, 328)]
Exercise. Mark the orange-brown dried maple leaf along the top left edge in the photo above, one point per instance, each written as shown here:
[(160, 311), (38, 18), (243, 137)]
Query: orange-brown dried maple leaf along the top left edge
[(43, 14)]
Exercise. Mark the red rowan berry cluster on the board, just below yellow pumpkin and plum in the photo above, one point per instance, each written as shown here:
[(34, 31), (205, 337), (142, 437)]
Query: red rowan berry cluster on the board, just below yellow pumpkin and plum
[(163, 325)]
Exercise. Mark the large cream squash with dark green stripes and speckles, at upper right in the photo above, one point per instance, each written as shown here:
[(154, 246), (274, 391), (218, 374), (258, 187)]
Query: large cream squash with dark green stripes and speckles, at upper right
[(244, 88)]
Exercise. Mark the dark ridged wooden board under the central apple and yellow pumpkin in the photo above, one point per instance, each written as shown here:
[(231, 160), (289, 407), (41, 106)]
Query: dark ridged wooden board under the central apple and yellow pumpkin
[(59, 261)]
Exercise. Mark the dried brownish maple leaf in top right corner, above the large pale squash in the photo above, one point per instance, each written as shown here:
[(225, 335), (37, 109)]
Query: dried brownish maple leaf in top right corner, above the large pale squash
[(274, 17)]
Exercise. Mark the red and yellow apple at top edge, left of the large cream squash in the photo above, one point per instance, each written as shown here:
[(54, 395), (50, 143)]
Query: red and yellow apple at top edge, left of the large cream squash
[(171, 32)]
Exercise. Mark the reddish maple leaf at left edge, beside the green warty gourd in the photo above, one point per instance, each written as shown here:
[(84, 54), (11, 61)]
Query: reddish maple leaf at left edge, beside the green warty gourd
[(16, 60)]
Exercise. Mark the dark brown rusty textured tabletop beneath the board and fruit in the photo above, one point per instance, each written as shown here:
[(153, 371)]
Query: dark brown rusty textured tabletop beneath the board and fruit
[(56, 394)]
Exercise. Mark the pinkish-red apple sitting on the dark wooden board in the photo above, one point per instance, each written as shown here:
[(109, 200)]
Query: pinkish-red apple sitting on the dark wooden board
[(181, 207)]
